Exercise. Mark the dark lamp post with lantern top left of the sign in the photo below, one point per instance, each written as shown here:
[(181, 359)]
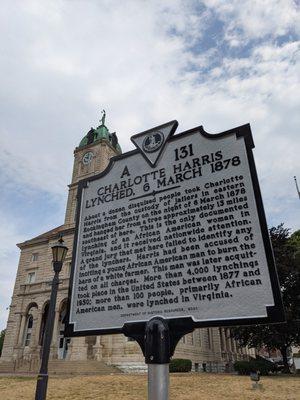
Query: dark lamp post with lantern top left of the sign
[(59, 251)]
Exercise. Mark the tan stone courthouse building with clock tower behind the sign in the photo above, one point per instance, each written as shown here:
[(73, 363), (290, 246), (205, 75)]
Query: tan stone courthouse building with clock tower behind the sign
[(210, 349)]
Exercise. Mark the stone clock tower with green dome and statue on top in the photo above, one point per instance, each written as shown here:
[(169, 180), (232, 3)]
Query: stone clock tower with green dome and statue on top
[(90, 158)]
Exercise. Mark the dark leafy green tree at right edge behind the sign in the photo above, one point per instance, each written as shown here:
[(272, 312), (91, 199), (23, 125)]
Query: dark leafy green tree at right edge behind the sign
[(280, 336)]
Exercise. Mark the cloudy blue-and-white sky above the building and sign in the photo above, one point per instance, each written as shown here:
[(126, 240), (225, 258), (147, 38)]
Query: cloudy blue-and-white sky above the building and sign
[(215, 63)]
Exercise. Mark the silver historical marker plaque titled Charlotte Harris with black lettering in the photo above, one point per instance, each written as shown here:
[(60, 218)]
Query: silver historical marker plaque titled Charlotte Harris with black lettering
[(175, 229)]
